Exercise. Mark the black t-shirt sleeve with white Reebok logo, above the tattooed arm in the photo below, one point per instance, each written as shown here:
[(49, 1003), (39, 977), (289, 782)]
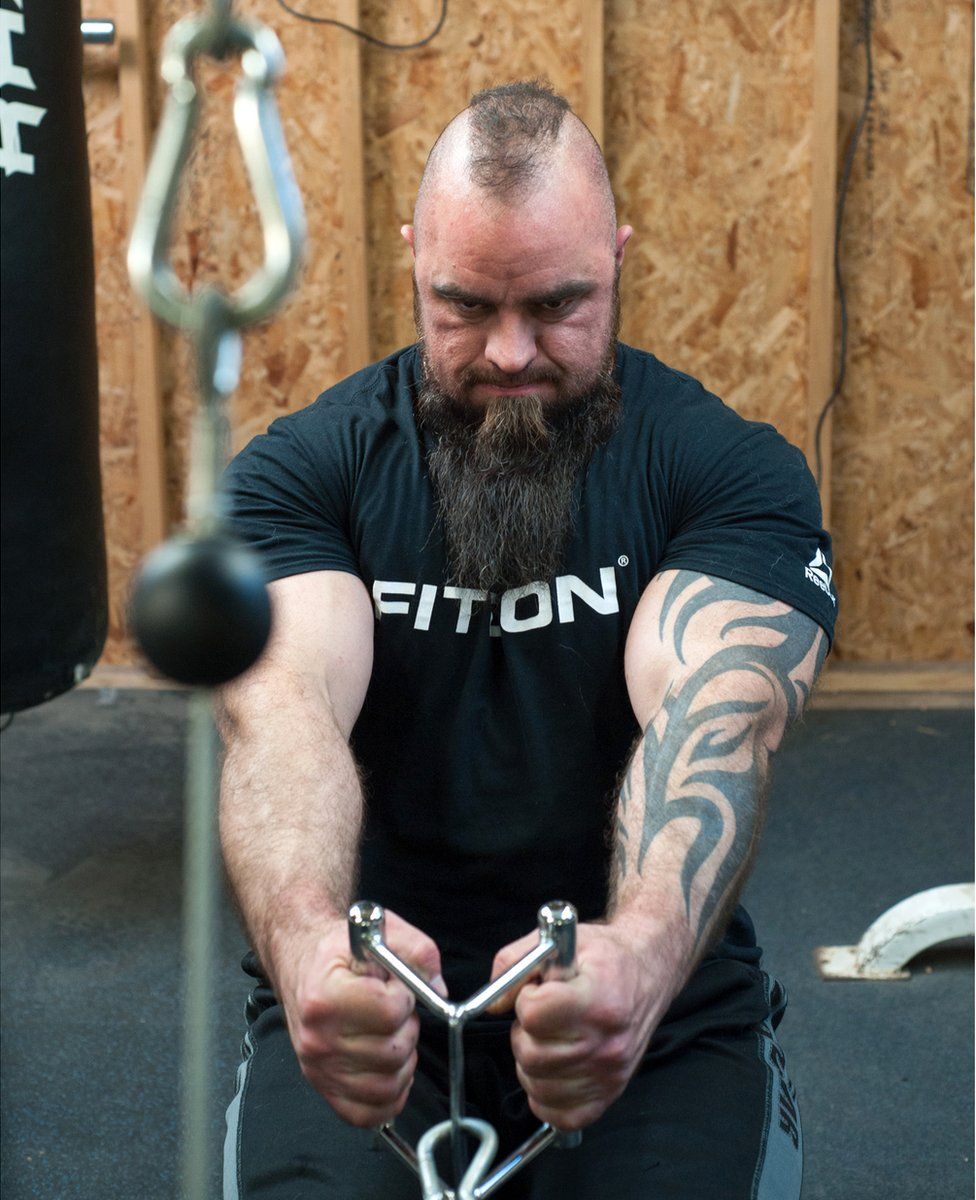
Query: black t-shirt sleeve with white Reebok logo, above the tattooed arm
[(746, 508)]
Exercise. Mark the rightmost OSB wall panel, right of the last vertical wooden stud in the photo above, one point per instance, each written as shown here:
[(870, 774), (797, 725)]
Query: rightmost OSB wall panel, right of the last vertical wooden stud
[(903, 433)]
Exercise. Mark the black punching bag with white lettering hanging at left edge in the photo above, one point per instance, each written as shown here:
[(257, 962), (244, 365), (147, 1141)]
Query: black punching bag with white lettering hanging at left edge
[(53, 579)]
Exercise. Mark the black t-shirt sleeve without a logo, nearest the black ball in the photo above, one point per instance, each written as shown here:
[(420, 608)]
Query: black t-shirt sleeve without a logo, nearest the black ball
[(294, 511)]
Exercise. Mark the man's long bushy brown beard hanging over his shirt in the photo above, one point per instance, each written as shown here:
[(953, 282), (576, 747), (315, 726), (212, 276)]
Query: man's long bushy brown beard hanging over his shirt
[(505, 477)]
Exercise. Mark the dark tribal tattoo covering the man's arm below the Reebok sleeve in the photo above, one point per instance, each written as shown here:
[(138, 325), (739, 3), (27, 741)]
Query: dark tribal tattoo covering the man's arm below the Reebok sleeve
[(705, 754)]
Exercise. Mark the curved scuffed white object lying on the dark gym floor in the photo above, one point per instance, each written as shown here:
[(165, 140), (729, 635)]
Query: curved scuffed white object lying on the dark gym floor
[(905, 931)]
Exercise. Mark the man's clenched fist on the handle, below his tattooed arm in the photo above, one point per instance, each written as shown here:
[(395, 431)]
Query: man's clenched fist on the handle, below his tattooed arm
[(577, 1043)]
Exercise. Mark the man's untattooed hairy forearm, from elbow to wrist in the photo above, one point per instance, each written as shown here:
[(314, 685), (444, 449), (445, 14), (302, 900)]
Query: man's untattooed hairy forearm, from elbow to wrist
[(291, 812)]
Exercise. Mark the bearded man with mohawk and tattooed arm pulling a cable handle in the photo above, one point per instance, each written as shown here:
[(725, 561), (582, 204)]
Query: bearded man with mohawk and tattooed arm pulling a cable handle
[(544, 609)]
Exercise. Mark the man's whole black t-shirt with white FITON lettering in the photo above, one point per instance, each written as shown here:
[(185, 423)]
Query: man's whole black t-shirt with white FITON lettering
[(493, 735)]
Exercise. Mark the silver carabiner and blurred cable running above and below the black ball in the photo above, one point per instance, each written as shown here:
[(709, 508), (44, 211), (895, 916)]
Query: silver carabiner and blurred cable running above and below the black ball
[(214, 321)]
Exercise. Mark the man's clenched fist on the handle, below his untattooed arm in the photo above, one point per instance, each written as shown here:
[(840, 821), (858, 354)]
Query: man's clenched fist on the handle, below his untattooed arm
[(354, 1029)]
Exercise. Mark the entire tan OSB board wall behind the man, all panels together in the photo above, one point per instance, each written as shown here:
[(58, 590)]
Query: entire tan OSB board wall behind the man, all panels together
[(709, 140)]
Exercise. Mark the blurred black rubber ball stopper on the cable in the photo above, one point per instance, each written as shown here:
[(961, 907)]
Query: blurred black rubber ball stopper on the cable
[(201, 610)]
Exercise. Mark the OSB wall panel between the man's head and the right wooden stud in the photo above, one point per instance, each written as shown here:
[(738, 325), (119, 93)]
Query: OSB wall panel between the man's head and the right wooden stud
[(712, 169)]
